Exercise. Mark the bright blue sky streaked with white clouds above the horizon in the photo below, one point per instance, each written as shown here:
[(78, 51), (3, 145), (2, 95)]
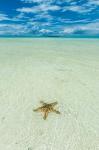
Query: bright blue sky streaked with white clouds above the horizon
[(49, 18)]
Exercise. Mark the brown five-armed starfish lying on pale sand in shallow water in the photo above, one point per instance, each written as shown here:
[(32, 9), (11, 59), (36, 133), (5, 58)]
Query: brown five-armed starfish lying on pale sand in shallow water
[(47, 108)]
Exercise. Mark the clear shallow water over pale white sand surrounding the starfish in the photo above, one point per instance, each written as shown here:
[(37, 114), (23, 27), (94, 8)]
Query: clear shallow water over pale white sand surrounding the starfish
[(63, 70)]
